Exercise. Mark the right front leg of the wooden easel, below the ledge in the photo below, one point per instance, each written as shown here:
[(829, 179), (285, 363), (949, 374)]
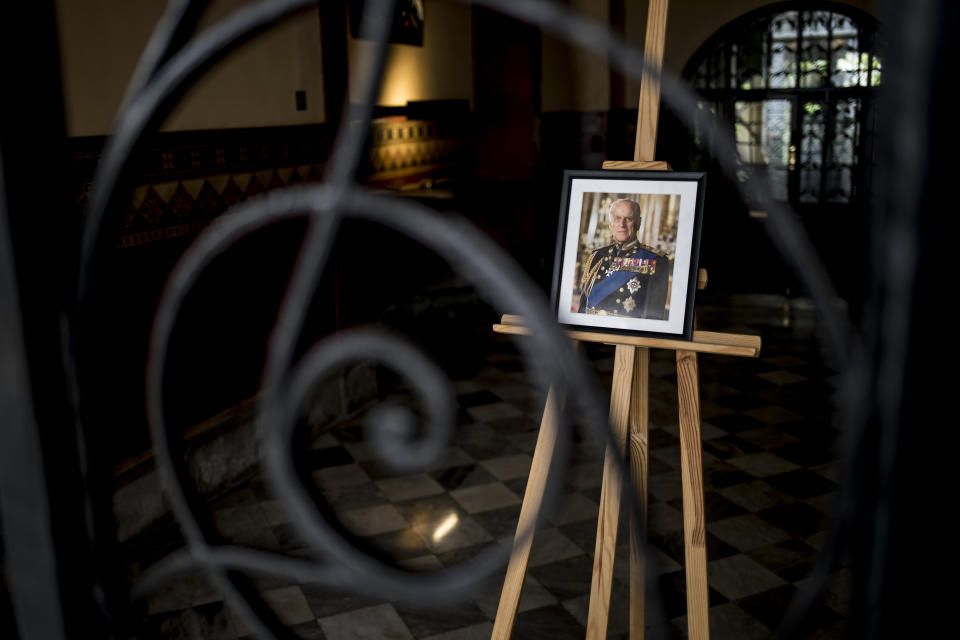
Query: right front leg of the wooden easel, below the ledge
[(694, 520)]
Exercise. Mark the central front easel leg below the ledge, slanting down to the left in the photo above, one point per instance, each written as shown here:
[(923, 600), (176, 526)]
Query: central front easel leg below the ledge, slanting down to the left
[(610, 496)]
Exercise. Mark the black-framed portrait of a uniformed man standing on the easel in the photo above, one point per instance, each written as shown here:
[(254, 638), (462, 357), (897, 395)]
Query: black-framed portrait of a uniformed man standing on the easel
[(627, 251)]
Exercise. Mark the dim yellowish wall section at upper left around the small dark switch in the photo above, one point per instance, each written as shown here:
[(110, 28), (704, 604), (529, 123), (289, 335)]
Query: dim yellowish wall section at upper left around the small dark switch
[(101, 40)]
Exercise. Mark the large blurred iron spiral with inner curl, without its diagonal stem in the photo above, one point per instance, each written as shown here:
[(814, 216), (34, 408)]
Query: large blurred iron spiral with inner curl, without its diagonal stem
[(501, 282)]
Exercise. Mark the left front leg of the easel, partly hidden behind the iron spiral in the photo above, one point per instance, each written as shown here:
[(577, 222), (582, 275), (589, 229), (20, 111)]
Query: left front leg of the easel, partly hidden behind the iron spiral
[(530, 509)]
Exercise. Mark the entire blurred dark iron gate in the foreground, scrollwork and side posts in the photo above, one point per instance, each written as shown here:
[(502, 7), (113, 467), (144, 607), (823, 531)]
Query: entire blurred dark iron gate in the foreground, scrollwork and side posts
[(58, 549)]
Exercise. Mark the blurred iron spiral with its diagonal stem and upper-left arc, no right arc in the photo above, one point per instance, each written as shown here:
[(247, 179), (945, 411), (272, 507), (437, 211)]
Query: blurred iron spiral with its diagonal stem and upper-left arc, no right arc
[(285, 382)]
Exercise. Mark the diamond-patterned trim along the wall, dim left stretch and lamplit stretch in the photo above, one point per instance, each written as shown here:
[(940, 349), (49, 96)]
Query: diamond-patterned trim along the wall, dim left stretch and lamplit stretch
[(190, 178)]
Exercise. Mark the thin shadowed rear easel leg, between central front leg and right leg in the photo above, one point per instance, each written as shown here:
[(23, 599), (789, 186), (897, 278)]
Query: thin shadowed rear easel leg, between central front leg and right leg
[(639, 430)]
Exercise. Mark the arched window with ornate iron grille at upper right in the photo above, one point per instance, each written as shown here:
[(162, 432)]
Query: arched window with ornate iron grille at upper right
[(798, 83)]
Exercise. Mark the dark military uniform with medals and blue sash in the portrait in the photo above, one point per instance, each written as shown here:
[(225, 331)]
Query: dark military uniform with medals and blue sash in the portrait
[(628, 279)]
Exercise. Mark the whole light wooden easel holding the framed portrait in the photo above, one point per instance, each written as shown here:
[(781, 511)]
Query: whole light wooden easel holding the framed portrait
[(629, 408)]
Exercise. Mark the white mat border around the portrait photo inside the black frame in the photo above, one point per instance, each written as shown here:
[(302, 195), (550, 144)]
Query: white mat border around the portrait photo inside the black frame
[(687, 190)]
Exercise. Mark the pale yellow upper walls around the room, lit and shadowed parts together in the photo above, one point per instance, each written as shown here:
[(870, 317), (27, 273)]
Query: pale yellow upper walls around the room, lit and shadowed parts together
[(254, 87)]
